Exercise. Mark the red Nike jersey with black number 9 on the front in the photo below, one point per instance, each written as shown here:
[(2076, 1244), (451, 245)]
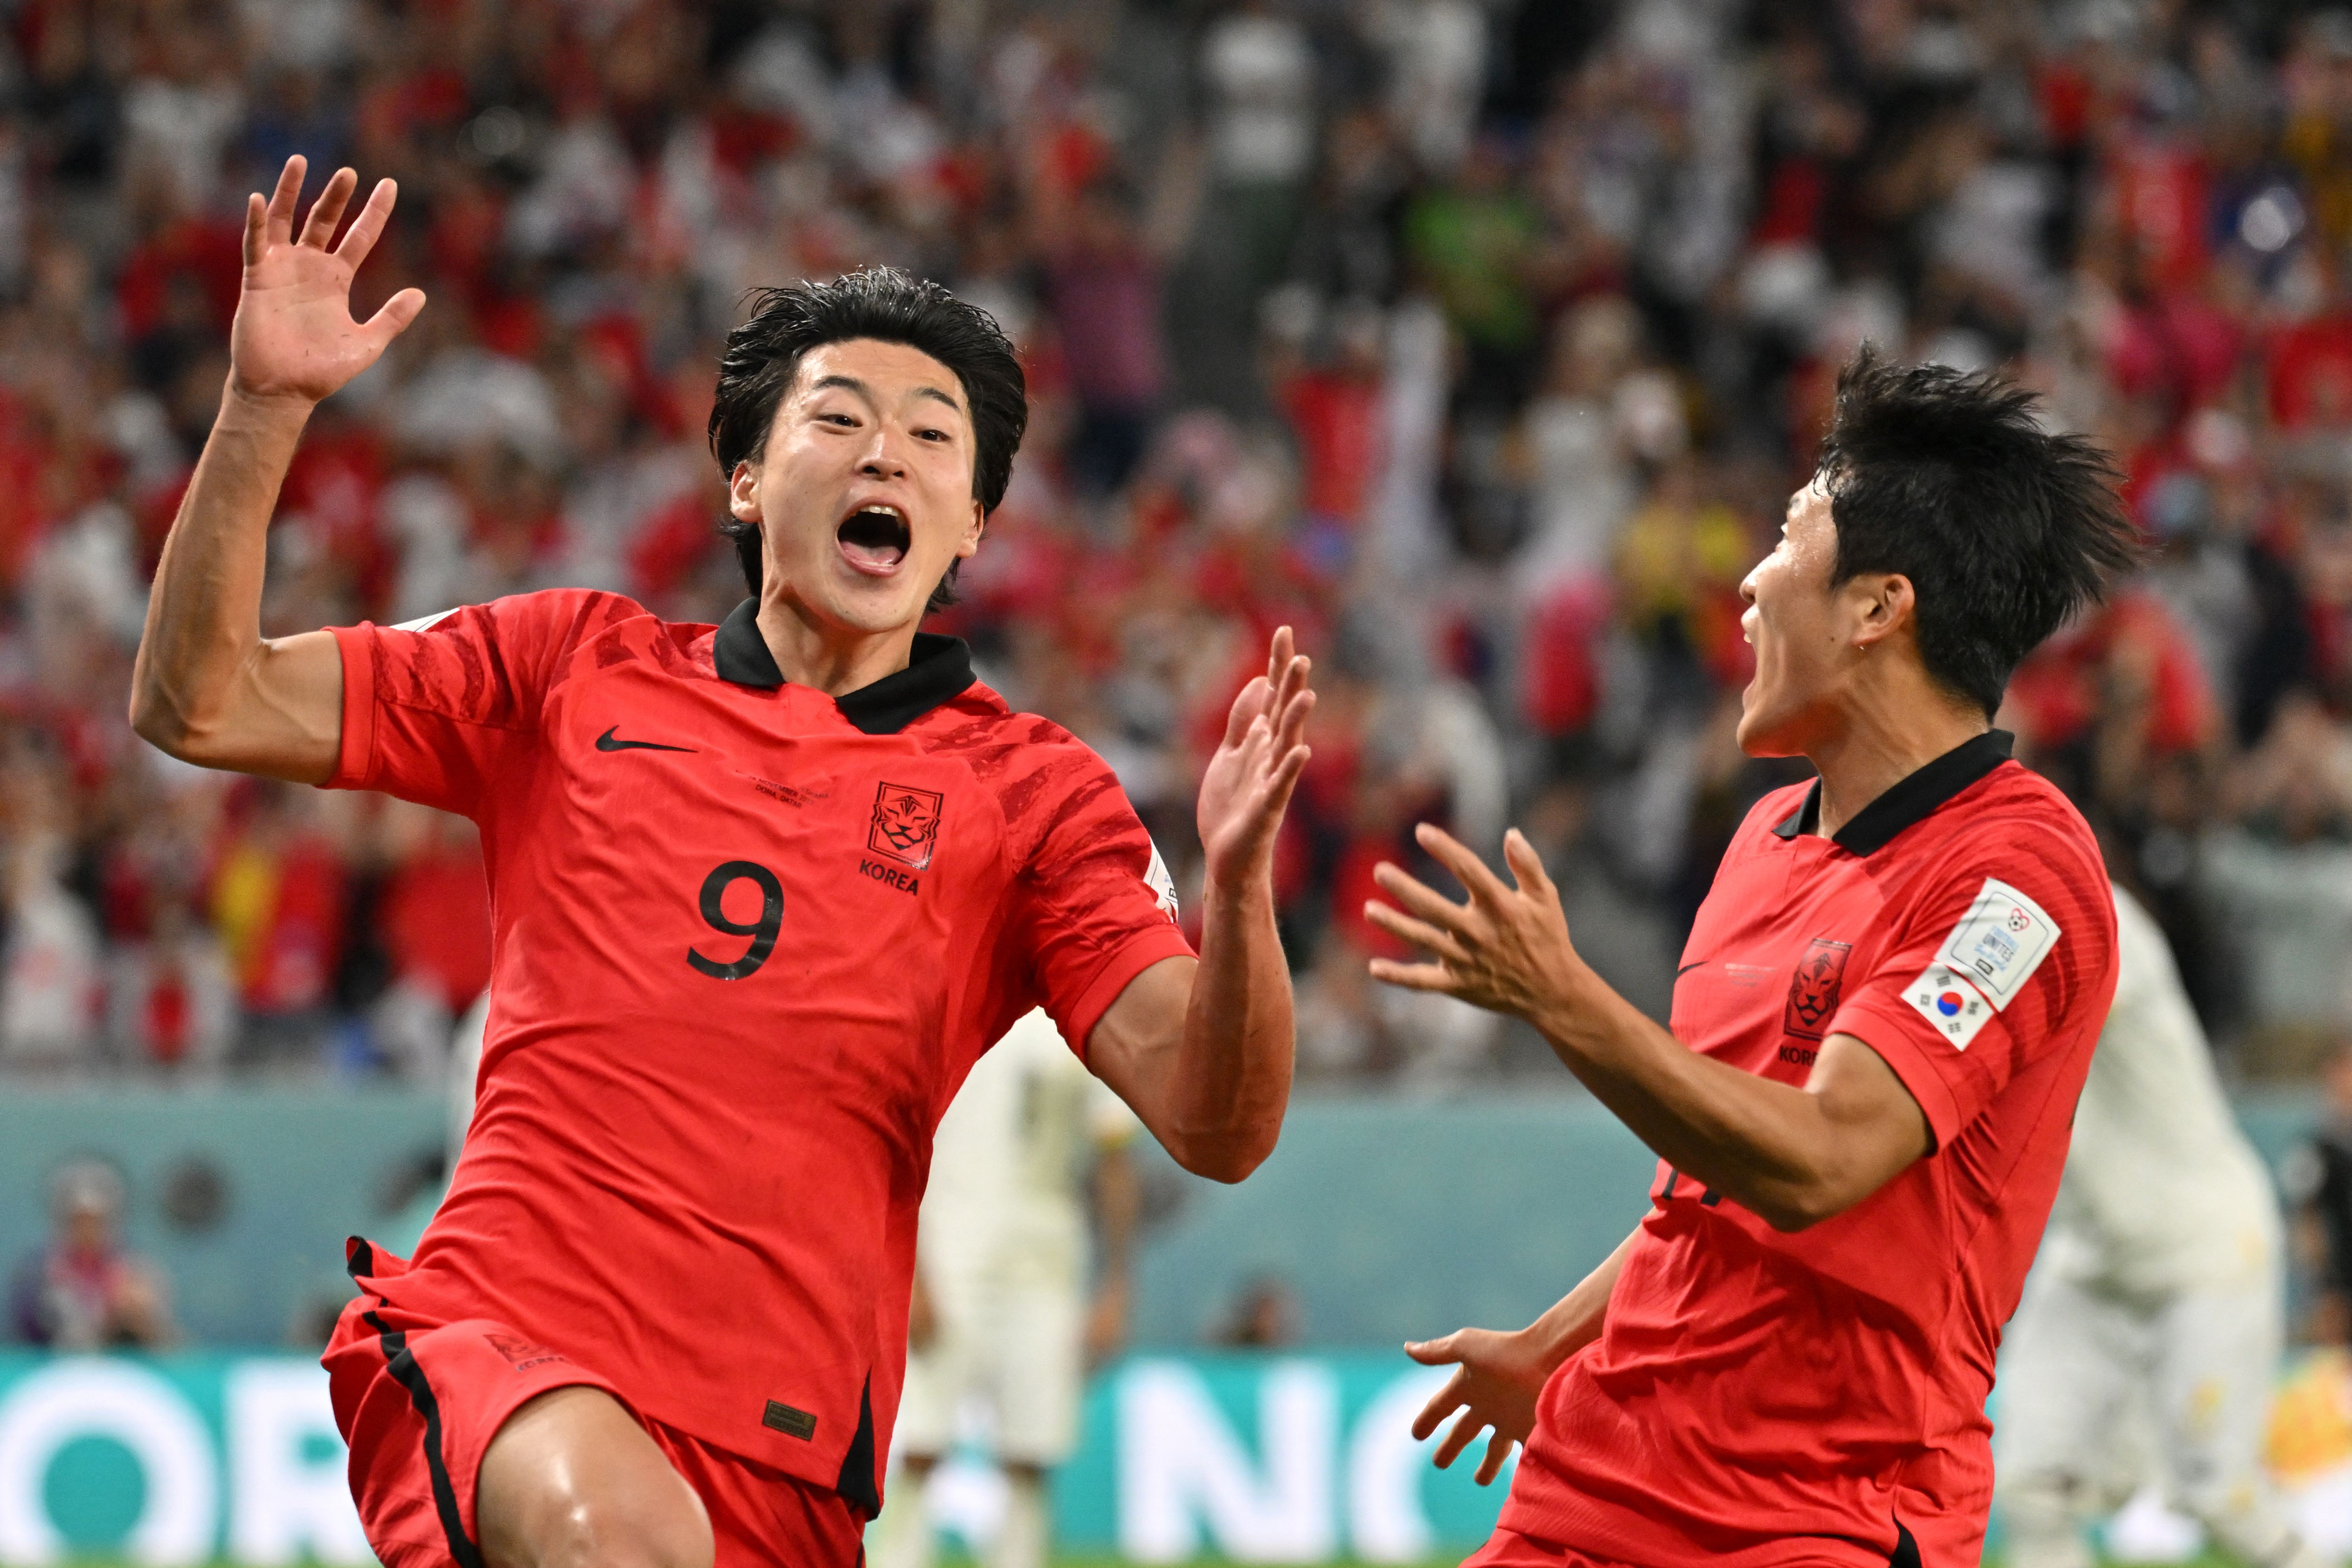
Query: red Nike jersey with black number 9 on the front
[(747, 944)]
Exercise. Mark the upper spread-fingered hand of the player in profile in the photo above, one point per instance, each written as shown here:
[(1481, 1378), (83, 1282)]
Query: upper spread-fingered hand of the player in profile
[(1504, 951)]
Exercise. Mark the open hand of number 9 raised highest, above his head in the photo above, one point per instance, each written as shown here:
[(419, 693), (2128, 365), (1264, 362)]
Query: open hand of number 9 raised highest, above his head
[(295, 340)]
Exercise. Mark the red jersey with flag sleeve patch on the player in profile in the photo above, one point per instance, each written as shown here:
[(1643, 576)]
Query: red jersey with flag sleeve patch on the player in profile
[(1763, 1398)]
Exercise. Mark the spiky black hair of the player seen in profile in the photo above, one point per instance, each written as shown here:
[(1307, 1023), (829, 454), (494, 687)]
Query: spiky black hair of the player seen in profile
[(2003, 528)]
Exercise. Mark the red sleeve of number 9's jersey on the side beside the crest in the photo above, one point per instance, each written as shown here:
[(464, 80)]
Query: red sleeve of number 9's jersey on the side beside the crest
[(1095, 904)]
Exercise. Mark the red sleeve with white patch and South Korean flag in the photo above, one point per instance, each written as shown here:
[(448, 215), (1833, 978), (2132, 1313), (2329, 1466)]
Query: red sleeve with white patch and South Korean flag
[(2000, 956)]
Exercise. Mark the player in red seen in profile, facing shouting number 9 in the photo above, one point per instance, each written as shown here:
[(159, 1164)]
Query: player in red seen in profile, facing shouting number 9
[(1880, 1026)]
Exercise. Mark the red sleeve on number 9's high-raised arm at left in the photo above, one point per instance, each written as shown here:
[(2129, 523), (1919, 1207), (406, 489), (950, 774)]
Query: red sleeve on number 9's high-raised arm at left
[(439, 706)]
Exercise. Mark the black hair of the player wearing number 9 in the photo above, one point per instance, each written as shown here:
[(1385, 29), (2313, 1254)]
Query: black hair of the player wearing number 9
[(766, 351)]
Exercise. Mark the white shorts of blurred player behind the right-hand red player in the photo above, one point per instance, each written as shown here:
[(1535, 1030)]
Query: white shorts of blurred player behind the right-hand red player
[(2191, 1376)]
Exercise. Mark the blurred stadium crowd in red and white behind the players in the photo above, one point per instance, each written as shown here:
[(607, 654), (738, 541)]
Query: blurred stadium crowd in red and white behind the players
[(1478, 342)]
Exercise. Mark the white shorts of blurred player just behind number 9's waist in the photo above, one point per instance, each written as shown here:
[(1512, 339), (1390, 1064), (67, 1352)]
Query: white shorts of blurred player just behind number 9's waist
[(1017, 1348)]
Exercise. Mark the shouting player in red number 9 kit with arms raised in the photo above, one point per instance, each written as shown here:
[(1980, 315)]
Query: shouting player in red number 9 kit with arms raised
[(761, 894)]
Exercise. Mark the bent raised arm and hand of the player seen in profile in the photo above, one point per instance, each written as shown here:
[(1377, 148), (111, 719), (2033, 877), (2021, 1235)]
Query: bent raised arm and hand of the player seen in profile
[(1791, 1155)]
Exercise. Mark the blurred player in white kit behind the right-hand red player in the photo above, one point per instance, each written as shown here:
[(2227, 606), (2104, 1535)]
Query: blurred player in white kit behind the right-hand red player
[(2156, 1306)]
